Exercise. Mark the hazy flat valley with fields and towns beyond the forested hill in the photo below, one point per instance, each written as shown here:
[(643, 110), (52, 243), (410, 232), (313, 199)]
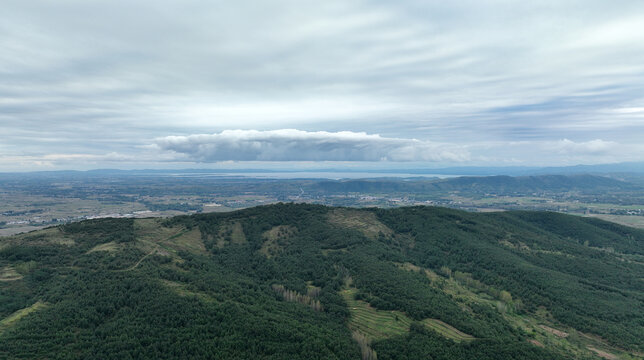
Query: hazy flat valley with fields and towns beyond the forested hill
[(32, 201)]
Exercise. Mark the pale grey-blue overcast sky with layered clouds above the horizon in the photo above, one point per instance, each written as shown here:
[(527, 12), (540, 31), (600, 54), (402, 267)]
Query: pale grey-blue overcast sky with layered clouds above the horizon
[(153, 84)]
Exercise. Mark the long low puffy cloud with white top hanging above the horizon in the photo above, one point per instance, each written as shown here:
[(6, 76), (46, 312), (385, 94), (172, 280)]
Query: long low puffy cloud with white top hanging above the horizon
[(297, 145)]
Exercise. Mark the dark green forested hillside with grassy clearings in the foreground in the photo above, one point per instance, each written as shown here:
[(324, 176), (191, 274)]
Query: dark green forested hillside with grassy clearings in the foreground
[(294, 281)]
